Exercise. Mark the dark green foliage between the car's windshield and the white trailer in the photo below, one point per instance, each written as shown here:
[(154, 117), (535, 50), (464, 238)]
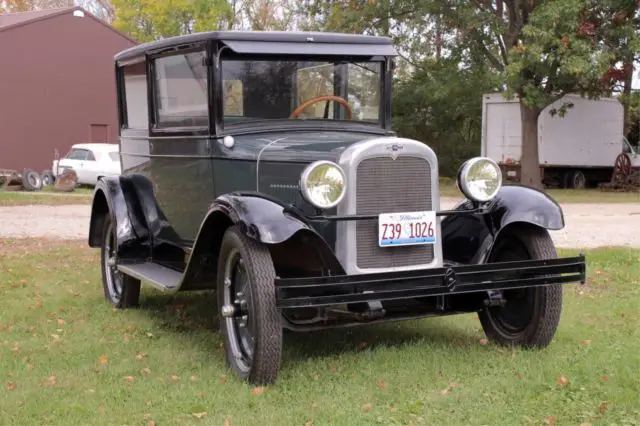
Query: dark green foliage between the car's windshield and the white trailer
[(441, 105)]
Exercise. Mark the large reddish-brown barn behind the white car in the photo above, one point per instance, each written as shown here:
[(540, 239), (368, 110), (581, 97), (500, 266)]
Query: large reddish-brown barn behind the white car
[(57, 84)]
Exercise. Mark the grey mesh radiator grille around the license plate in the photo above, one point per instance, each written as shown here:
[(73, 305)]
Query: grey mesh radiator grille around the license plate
[(385, 185)]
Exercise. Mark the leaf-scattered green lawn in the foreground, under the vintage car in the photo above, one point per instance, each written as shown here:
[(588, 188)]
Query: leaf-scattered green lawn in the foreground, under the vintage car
[(67, 358)]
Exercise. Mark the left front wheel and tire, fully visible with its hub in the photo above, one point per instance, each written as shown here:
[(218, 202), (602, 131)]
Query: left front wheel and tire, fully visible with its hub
[(246, 281)]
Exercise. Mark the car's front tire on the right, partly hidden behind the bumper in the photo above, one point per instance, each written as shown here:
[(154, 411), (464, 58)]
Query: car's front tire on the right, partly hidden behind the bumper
[(531, 315)]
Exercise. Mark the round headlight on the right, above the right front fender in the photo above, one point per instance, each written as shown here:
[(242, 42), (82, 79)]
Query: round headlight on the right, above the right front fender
[(480, 179)]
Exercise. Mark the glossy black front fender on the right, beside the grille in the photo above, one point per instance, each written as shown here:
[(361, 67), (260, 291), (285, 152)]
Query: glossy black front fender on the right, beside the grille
[(468, 239)]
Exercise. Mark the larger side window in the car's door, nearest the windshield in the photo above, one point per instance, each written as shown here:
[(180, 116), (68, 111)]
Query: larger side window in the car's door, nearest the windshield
[(181, 98)]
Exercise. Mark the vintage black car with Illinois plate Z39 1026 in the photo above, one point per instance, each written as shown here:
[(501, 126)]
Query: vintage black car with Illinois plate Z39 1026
[(263, 165)]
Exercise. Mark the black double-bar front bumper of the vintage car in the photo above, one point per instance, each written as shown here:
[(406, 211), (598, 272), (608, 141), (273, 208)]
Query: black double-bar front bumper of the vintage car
[(448, 280)]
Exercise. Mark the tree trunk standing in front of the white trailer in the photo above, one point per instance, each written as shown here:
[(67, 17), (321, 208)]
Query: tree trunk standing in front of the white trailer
[(529, 162)]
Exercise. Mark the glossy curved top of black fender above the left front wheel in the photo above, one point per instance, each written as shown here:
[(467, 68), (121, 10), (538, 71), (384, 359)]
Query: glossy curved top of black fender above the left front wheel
[(261, 218)]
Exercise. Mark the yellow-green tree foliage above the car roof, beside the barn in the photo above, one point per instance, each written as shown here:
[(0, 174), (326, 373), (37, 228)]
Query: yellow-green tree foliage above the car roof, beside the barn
[(146, 20)]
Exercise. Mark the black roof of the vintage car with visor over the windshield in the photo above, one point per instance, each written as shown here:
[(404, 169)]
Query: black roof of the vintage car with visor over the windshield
[(274, 42)]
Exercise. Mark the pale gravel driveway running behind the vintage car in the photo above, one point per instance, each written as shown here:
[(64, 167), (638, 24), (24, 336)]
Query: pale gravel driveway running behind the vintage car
[(587, 225)]
